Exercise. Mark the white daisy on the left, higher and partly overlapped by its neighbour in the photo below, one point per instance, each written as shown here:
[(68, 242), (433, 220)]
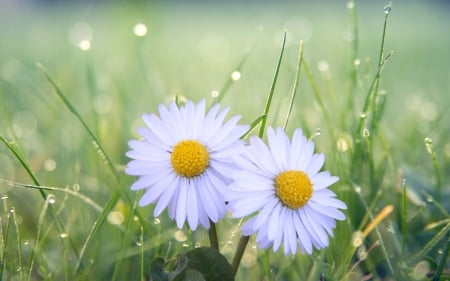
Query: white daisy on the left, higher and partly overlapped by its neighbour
[(183, 161)]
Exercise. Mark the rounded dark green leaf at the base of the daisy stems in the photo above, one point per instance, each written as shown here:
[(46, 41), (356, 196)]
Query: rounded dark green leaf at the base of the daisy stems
[(210, 263)]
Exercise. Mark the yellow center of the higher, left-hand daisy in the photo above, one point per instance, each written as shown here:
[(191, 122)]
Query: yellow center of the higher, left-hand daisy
[(189, 158)]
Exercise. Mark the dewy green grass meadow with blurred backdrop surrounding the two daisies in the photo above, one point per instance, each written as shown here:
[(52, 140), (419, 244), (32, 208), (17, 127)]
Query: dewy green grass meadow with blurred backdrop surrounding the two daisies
[(375, 105)]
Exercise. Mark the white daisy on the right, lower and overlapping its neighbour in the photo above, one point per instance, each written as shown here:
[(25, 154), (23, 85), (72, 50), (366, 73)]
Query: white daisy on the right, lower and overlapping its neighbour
[(281, 182)]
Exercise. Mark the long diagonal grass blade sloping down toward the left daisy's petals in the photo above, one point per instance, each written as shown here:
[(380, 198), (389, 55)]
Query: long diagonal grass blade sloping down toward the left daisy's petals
[(72, 109)]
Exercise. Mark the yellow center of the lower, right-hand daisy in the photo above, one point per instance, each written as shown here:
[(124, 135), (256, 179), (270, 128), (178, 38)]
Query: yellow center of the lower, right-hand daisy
[(294, 188)]
